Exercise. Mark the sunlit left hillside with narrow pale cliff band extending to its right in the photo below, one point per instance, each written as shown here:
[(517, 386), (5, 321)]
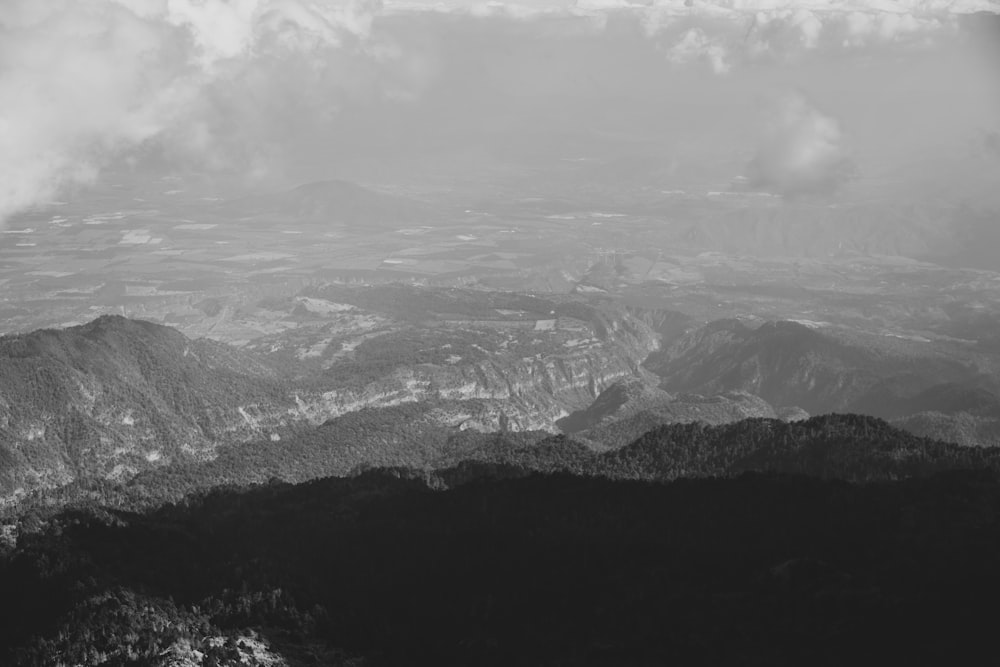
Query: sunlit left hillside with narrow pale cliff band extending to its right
[(116, 396)]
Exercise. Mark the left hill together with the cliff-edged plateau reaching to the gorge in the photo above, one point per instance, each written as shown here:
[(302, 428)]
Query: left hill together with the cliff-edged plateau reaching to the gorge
[(115, 397)]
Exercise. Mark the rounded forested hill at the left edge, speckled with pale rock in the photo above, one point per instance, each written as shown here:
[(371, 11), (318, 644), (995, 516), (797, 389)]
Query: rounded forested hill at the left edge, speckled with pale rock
[(114, 396)]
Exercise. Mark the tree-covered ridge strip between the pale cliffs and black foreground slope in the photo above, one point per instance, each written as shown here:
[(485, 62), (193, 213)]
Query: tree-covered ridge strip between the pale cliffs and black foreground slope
[(853, 448)]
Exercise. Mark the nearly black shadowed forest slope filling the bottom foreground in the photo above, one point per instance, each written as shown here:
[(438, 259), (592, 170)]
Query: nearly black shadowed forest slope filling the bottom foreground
[(541, 570)]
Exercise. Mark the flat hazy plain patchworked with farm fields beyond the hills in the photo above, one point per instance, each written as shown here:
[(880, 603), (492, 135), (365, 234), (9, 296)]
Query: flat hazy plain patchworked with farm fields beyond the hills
[(194, 264)]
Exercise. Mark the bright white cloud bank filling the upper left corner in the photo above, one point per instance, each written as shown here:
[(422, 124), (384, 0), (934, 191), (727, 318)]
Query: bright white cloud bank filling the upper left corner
[(85, 81)]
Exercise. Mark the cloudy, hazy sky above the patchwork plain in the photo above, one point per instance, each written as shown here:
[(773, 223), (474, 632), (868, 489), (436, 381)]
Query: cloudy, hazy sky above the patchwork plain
[(797, 99)]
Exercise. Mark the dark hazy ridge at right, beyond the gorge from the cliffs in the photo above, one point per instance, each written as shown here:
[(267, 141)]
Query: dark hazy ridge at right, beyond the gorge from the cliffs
[(789, 364)]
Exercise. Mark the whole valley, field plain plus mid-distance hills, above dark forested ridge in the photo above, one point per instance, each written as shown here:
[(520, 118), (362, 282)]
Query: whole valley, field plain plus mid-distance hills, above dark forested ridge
[(527, 315)]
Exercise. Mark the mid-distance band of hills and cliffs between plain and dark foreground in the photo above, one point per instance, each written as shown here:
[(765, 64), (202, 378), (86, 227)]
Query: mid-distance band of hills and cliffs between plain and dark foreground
[(118, 398)]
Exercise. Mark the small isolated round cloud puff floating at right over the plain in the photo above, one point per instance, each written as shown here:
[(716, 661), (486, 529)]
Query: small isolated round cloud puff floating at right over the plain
[(803, 151)]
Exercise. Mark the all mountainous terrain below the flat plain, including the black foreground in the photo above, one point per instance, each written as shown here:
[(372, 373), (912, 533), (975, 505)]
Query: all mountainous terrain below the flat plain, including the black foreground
[(752, 533)]
